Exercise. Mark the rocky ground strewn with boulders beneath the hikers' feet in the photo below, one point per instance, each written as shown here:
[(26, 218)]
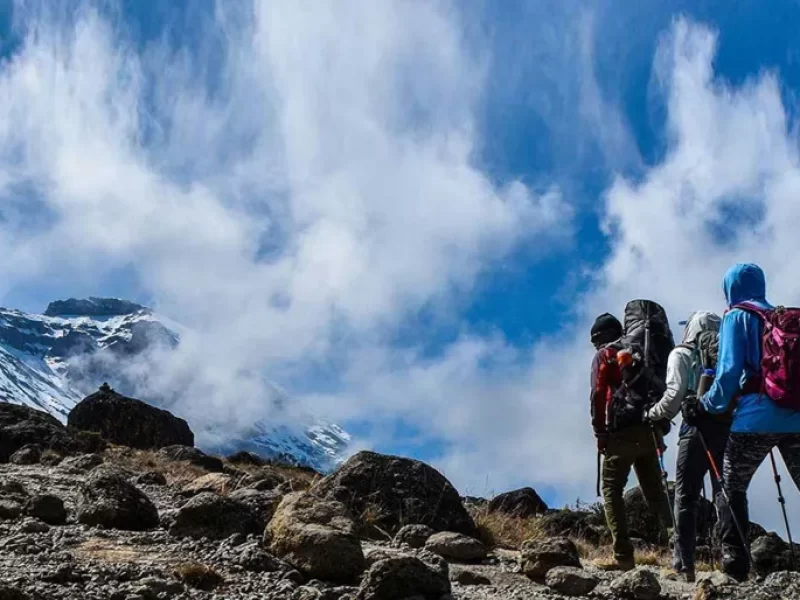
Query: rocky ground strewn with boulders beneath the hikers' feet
[(101, 521)]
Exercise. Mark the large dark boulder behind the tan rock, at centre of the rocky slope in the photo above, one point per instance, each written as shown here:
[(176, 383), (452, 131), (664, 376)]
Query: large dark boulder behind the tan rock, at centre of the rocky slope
[(395, 492)]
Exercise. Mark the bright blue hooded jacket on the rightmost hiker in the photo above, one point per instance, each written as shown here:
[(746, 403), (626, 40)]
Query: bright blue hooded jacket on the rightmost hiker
[(740, 358)]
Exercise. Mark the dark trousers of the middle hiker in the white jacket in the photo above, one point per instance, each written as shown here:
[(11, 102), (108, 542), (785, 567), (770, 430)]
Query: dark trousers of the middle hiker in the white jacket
[(692, 466)]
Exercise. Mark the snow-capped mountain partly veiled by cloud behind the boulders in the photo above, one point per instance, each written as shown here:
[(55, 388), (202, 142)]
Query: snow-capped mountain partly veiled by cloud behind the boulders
[(51, 361)]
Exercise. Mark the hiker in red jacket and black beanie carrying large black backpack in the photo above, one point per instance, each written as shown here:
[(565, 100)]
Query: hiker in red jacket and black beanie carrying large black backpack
[(620, 390)]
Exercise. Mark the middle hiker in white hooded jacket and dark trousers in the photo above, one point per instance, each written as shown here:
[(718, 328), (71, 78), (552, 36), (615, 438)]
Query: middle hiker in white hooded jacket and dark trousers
[(696, 353)]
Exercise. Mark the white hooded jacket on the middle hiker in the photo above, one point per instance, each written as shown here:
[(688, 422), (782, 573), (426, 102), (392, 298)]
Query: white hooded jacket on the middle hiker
[(679, 367)]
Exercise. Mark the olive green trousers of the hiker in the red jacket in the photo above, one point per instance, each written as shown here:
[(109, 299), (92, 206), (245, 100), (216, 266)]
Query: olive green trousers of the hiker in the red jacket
[(635, 448)]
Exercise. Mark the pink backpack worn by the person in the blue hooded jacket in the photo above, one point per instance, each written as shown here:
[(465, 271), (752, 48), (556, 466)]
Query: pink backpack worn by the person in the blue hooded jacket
[(780, 354)]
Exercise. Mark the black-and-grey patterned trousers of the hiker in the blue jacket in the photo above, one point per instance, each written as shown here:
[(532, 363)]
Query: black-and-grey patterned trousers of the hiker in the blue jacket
[(743, 455)]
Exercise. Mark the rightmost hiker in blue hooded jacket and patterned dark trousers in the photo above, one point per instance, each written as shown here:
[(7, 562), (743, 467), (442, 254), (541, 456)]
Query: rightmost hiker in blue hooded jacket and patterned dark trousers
[(760, 423)]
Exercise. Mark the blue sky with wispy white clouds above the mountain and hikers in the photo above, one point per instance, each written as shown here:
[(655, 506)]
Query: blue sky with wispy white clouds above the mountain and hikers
[(406, 215)]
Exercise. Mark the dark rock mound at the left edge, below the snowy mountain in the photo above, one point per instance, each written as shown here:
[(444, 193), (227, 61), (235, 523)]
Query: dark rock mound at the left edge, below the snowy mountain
[(22, 426)]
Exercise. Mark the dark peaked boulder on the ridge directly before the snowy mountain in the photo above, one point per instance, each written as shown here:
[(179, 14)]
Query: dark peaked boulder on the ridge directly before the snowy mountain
[(129, 422)]
